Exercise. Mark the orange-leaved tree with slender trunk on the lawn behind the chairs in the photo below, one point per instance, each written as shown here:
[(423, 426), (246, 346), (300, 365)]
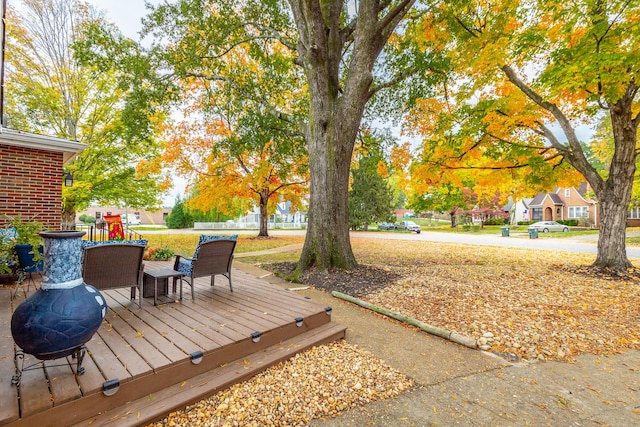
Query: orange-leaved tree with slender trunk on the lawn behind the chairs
[(231, 170)]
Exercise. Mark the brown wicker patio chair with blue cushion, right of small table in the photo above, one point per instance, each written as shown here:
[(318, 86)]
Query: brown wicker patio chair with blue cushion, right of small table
[(211, 257)]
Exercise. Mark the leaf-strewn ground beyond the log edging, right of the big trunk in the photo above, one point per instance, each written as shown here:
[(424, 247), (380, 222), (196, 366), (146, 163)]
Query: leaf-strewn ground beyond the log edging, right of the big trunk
[(536, 304)]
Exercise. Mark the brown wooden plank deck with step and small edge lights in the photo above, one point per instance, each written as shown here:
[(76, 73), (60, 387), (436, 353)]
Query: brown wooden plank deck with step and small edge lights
[(149, 352)]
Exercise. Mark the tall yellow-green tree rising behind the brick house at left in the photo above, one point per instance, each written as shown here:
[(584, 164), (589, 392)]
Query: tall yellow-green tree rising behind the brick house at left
[(49, 91)]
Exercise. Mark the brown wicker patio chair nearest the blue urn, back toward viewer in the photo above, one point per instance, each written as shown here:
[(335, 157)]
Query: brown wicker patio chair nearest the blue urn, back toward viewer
[(113, 266)]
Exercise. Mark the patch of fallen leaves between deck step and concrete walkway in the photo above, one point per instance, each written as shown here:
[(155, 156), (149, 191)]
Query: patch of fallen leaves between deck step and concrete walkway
[(321, 382)]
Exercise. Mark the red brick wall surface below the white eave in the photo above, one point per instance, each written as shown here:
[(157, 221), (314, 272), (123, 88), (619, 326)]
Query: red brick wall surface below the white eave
[(31, 184)]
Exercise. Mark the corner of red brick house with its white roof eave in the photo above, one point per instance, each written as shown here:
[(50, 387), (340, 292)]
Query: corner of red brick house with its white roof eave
[(31, 175)]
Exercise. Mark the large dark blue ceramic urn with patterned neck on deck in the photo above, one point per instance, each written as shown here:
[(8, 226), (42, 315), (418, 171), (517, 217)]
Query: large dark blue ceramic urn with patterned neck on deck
[(58, 319)]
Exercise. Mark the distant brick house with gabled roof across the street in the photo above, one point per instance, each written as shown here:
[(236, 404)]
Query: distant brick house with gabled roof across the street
[(565, 204)]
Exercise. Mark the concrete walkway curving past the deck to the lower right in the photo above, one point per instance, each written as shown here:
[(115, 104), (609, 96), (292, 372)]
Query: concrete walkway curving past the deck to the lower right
[(460, 386)]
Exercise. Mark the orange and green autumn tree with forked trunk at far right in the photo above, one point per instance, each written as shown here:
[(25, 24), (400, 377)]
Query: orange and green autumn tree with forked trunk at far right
[(533, 72)]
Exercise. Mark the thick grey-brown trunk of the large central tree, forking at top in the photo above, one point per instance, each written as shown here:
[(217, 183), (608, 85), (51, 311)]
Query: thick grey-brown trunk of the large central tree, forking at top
[(338, 97)]
